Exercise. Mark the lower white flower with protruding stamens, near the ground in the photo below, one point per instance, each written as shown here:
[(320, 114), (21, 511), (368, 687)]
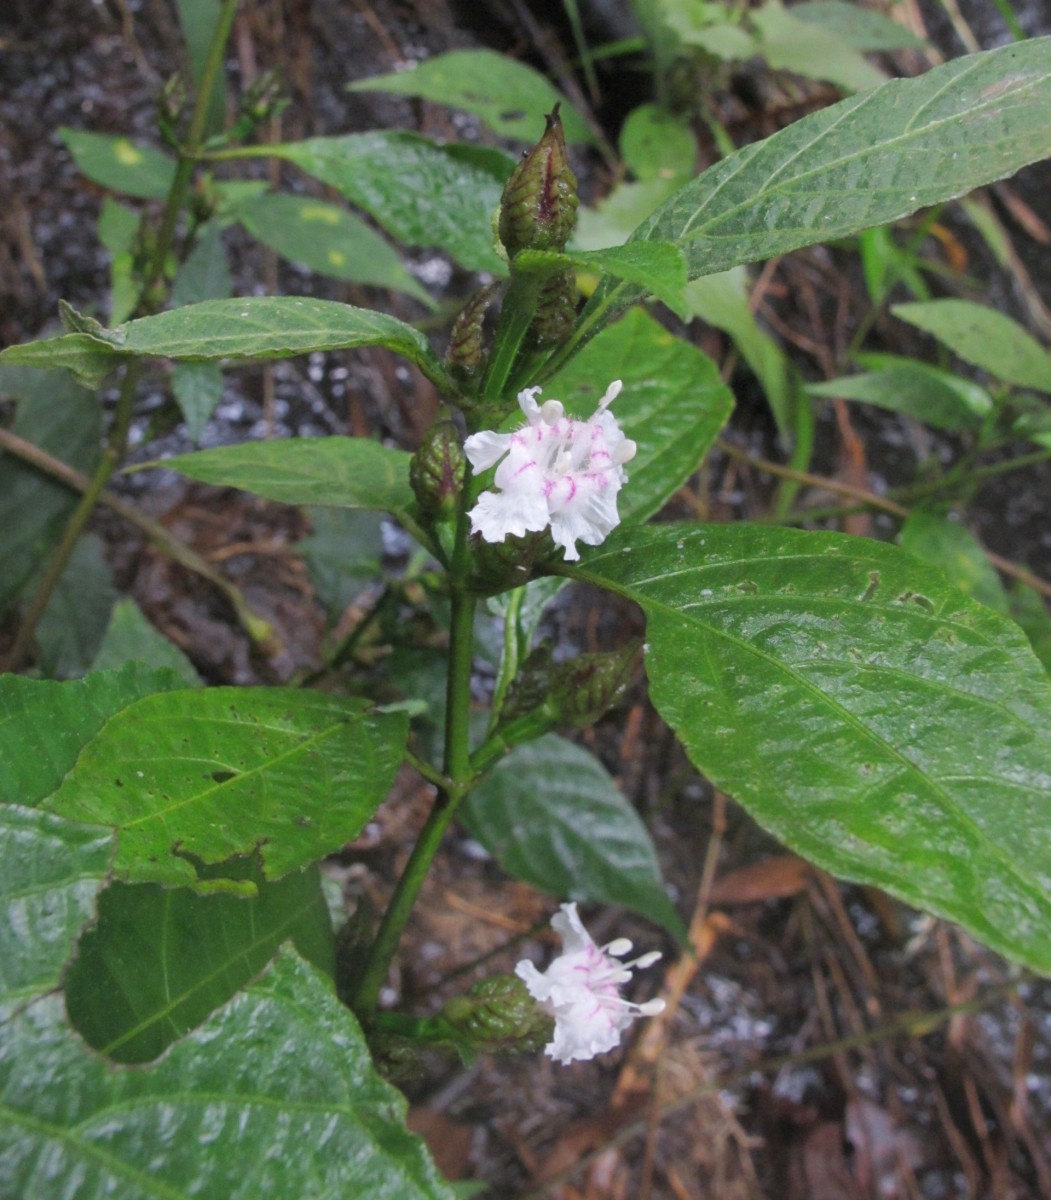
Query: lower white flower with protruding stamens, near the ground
[(581, 989)]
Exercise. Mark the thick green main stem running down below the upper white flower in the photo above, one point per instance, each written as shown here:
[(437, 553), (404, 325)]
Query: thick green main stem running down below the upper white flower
[(458, 773)]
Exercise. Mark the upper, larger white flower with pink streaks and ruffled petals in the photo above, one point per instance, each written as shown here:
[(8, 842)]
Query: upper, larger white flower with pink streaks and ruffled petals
[(558, 472)]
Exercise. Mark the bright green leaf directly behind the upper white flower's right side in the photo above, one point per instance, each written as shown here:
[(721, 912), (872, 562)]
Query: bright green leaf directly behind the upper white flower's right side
[(674, 405)]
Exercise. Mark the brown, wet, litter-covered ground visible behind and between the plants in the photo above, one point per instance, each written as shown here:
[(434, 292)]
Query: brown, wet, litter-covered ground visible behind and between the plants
[(796, 1059)]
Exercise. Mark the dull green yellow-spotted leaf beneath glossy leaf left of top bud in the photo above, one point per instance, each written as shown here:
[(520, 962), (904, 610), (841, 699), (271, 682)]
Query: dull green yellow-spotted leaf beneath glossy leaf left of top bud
[(329, 241)]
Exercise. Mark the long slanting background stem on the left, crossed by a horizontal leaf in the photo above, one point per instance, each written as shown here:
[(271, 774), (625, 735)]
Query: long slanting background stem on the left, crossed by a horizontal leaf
[(117, 443)]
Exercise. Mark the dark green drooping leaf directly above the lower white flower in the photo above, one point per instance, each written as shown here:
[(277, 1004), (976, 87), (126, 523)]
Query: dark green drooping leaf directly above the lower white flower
[(551, 815)]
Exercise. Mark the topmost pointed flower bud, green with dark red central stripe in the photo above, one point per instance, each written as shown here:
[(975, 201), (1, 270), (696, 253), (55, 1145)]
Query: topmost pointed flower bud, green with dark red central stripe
[(539, 206)]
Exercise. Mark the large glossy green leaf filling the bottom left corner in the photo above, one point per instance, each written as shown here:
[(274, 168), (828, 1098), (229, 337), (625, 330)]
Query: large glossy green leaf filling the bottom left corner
[(274, 1097)]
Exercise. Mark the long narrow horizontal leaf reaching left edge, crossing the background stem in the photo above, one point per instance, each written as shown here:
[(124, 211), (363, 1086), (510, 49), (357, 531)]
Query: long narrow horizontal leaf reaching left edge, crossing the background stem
[(254, 328)]
